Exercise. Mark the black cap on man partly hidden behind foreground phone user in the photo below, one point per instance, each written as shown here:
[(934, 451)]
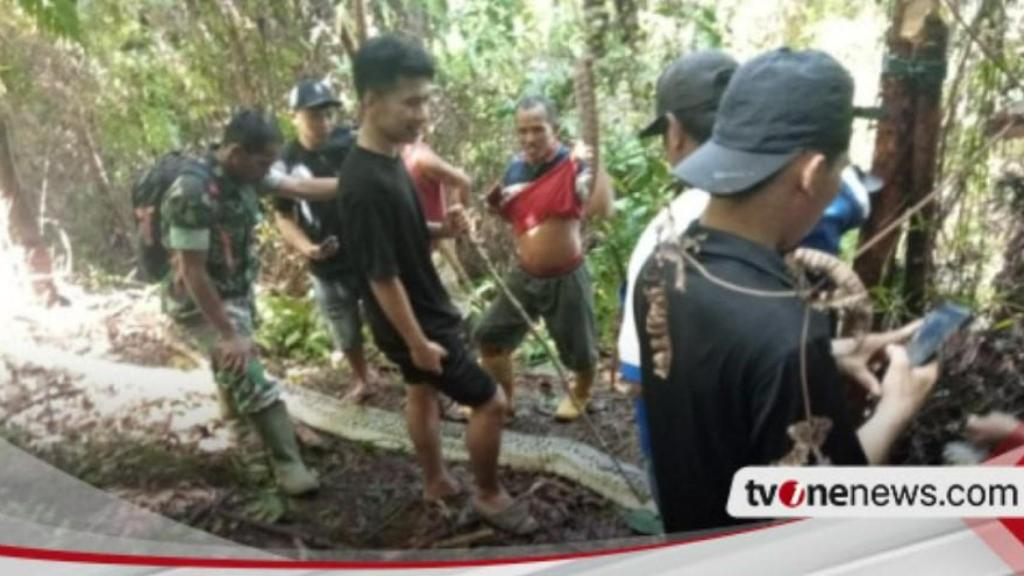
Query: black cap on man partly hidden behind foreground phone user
[(694, 84)]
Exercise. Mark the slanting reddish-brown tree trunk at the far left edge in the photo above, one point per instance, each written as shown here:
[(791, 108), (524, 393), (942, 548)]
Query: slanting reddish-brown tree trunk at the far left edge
[(22, 224)]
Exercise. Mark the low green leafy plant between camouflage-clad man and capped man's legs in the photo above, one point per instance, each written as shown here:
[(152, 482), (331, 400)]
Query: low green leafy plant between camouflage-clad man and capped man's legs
[(292, 328)]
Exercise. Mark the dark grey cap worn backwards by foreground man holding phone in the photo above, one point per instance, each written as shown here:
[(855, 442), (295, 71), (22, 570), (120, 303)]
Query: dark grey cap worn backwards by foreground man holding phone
[(778, 106)]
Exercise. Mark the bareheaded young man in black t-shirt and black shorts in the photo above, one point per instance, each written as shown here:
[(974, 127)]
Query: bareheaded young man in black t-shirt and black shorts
[(410, 314)]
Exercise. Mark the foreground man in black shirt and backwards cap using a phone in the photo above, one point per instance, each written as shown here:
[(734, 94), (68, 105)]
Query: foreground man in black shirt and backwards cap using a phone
[(735, 387)]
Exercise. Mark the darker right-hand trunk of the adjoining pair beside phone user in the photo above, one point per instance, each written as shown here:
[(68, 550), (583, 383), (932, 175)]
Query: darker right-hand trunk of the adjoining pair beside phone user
[(928, 119)]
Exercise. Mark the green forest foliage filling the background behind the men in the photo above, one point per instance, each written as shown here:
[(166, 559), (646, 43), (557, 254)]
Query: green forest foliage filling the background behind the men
[(146, 76)]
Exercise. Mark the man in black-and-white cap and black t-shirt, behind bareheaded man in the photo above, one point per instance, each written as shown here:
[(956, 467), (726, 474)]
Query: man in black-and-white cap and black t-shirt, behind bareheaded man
[(315, 228)]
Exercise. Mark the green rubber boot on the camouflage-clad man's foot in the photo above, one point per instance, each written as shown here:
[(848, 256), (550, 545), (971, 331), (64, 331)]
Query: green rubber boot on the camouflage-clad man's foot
[(275, 427)]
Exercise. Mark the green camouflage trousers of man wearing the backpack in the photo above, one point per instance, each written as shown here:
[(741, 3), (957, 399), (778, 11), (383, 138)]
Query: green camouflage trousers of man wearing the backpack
[(250, 392)]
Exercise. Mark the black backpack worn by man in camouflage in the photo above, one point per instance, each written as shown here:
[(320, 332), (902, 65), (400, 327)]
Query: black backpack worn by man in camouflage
[(152, 259)]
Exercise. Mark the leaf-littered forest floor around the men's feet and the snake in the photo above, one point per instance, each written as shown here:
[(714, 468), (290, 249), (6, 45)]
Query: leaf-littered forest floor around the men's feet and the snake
[(178, 459)]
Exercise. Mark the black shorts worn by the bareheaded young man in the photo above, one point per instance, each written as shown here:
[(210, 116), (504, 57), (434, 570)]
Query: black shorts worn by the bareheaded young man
[(463, 381)]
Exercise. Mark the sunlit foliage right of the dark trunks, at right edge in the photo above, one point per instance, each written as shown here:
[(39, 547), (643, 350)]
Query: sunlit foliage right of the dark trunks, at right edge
[(972, 220)]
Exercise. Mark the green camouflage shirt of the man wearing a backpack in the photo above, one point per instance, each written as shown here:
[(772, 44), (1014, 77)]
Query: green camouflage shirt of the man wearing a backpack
[(217, 216)]
